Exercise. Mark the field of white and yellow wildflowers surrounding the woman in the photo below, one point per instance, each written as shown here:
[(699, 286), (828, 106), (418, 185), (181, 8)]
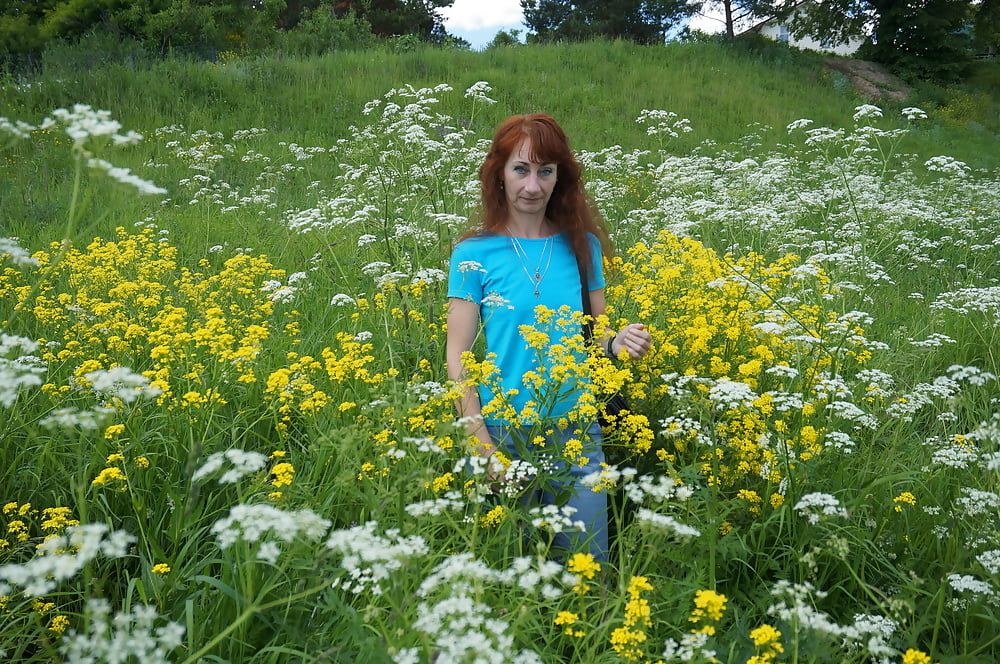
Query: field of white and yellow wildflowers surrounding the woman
[(227, 432)]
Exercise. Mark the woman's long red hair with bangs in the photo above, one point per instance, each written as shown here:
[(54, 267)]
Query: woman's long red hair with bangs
[(569, 208)]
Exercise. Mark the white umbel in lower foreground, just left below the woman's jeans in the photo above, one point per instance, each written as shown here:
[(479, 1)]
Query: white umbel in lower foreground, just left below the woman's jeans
[(370, 558)]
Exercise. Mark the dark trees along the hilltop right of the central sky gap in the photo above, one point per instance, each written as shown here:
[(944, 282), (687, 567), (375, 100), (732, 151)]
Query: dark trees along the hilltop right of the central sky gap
[(928, 38)]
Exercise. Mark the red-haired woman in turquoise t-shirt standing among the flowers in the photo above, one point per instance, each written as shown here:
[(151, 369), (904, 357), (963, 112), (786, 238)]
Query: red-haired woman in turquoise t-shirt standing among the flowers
[(536, 235)]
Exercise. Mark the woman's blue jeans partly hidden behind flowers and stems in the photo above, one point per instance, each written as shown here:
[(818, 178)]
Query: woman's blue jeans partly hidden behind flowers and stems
[(591, 507)]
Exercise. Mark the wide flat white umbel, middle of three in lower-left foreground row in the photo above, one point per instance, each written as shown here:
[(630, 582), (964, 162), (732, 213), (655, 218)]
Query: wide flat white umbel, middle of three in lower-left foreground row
[(254, 523)]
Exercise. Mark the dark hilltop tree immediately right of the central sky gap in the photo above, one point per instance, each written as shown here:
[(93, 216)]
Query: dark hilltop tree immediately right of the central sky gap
[(643, 21)]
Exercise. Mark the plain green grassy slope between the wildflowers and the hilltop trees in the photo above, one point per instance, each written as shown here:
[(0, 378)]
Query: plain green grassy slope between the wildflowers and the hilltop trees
[(595, 89)]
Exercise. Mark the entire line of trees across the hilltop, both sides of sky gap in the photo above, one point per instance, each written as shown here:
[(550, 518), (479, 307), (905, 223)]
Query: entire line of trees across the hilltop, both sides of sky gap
[(929, 38)]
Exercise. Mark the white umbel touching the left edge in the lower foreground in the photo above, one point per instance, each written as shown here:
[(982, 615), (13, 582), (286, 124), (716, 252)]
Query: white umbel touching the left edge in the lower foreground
[(61, 557)]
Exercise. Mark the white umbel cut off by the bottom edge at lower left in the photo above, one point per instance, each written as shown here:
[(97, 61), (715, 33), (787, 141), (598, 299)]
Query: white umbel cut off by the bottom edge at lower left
[(127, 636)]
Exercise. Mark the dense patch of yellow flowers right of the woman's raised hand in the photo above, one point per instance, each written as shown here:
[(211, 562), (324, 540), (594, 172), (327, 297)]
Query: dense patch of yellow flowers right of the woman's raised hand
[(727, 319)]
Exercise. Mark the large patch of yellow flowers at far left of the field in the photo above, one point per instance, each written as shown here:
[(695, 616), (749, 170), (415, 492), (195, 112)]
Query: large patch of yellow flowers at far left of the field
[(128, 297)]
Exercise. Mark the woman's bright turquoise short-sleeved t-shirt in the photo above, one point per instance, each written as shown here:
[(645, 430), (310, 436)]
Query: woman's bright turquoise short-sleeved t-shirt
[(487, 270)]
